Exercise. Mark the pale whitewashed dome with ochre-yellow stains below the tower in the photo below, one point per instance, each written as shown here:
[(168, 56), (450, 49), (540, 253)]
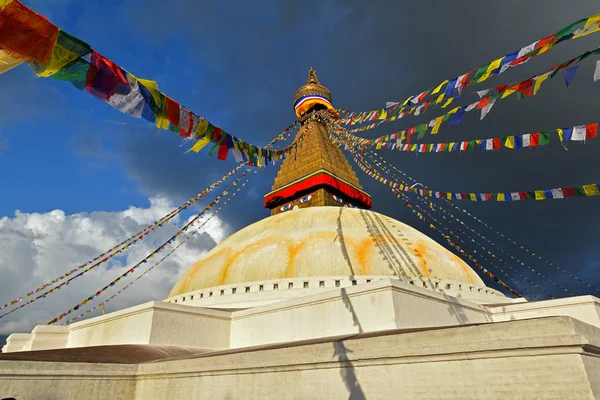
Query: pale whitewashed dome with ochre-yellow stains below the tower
[(323, 241)]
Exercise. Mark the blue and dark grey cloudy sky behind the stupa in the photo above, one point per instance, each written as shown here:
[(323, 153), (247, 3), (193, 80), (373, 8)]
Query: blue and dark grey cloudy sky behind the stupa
[(78, 176)]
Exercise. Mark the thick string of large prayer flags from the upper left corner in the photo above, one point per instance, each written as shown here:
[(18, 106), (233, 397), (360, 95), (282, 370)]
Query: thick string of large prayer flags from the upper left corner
[(51, 52)]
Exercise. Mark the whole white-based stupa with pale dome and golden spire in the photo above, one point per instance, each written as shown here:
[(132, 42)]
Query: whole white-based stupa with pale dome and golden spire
[(324, 299)]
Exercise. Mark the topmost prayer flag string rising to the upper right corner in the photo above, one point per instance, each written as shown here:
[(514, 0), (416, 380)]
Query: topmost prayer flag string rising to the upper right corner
[(500, 65)]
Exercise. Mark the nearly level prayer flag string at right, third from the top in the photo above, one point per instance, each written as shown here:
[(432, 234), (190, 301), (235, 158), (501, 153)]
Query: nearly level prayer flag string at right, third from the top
[(580, 133)]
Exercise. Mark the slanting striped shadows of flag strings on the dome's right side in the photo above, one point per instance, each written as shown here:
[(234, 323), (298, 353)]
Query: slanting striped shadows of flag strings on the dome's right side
[(392, 250)]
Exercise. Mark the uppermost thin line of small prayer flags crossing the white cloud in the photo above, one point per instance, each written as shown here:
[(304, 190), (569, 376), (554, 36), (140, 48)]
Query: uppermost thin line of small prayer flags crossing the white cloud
[(118, 249)]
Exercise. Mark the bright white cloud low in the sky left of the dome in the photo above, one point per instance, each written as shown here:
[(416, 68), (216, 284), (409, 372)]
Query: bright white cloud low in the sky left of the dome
[(36, 248)]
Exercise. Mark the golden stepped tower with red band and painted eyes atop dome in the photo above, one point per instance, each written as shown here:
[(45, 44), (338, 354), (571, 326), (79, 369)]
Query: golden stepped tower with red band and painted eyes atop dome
[(317, 174)]
